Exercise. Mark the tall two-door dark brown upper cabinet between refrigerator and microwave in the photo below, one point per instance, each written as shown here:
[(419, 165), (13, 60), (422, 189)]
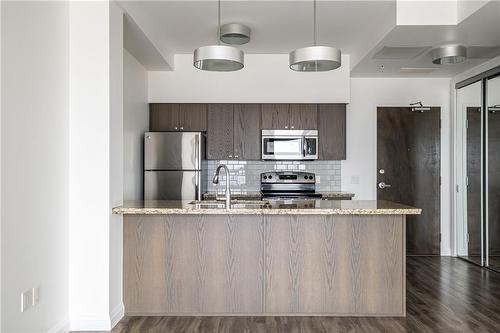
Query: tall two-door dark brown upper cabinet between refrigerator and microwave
[(233, 132)]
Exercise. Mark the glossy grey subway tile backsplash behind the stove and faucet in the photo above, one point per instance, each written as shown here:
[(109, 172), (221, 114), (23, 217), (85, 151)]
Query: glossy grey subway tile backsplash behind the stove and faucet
[(245, 175)]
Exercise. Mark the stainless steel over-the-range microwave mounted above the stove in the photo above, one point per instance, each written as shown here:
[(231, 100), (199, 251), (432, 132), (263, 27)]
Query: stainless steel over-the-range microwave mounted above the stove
[(289, 145)]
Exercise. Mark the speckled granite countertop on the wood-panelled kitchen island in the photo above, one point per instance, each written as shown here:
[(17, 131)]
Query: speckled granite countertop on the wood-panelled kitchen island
[(310, 207)]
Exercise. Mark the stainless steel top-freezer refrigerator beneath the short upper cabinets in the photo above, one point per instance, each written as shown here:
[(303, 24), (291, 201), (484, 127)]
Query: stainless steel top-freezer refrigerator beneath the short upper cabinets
[(173, 165)]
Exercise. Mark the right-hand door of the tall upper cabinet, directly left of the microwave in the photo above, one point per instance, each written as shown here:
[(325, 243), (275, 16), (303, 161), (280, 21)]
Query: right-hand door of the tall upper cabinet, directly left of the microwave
[(247, 131)]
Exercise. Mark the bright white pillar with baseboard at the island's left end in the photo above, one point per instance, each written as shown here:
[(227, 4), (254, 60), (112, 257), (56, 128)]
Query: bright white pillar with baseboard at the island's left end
[(96, 169)]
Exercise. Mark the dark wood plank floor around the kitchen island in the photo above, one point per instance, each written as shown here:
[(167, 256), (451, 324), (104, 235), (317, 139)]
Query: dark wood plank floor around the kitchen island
[(443, 295)]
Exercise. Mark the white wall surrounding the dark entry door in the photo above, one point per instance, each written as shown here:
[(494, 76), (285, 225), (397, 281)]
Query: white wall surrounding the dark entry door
[(359, 170)]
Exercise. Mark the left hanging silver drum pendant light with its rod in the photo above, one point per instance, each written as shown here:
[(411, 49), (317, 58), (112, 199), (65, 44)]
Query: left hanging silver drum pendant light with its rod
[(218, 58)]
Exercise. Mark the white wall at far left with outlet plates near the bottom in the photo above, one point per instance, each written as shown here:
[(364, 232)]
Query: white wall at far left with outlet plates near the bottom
[(35, 155)]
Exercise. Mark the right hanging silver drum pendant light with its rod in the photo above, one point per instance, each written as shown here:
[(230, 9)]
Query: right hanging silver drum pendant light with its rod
[(315, 58)]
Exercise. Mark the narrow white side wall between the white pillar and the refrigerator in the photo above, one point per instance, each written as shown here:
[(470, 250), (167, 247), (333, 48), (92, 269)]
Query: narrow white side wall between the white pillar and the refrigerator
[(135, 123)]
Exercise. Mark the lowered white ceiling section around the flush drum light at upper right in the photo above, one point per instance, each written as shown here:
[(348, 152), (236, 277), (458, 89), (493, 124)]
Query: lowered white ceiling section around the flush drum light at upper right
[(480, 32)]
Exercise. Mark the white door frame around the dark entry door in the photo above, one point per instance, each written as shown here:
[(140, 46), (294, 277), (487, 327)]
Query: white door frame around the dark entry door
[(444, 251)]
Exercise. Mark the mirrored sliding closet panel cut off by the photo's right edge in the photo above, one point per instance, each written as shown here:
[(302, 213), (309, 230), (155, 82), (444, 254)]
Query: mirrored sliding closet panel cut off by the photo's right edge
[(493, 179)]
